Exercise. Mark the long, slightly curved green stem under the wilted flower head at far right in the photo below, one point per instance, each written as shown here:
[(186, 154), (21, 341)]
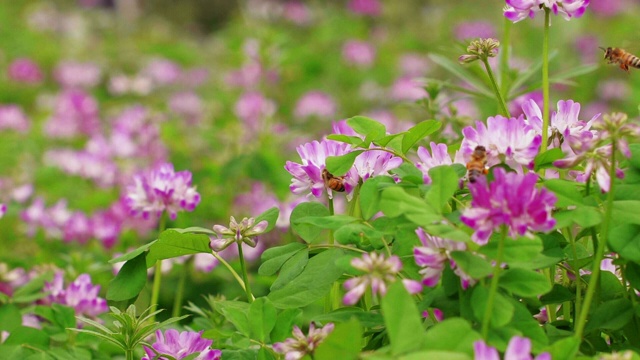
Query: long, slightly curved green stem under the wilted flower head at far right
[(599, 251)]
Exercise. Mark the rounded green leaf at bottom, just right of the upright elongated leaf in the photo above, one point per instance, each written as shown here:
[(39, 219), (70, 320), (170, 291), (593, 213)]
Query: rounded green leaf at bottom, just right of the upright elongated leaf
[(439, 337)]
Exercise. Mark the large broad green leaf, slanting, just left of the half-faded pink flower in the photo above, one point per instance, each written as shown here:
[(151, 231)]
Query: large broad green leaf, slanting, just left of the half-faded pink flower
[(313, 283)]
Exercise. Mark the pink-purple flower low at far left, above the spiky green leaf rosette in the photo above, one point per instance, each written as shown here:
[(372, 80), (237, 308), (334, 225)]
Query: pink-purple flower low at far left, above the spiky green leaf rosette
[(81, 295)]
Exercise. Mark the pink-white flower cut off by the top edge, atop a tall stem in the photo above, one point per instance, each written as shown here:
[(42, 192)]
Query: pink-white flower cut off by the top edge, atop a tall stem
[(517, 10)]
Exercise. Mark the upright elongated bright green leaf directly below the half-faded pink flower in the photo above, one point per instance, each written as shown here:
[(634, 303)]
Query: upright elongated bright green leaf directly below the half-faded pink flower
[(403, 321)]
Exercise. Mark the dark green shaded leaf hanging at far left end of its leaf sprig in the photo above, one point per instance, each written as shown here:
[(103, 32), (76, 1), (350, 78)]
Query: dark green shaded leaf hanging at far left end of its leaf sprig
[(130, 280)]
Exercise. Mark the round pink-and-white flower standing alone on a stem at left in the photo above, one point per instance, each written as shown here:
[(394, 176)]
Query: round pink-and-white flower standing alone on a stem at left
[(162, 189)]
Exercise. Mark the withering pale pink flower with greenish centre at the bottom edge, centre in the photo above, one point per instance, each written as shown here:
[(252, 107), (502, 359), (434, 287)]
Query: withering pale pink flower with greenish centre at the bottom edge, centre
[(300, 345)]
